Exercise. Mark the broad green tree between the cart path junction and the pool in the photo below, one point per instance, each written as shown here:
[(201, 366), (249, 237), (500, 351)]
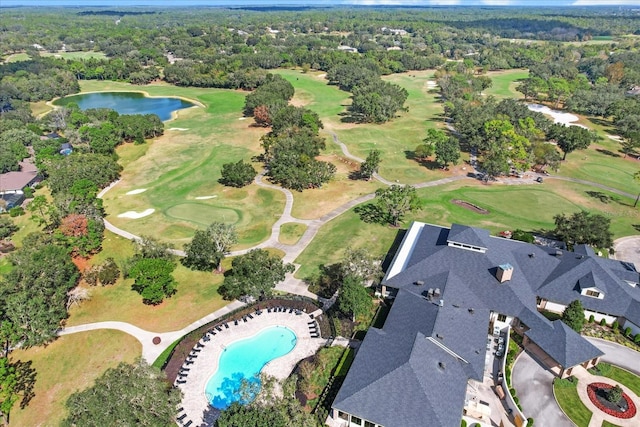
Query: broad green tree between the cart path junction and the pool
[(255, 273)]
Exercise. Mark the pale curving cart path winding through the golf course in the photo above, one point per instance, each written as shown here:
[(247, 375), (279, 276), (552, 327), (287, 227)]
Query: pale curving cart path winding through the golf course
[(291, 285)]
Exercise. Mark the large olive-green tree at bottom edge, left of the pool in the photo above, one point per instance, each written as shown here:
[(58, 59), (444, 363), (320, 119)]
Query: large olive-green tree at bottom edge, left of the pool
[(127, 395)]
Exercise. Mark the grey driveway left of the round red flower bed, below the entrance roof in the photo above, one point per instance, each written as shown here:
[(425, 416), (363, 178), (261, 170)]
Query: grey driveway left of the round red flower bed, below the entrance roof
[(534, 387)]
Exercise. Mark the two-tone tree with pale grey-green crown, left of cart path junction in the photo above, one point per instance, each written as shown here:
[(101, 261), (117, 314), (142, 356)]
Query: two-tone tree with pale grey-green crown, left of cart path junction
[(208, 247)]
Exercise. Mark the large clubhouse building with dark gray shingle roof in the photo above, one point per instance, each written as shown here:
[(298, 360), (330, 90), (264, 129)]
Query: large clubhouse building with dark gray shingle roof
[(452, 287)]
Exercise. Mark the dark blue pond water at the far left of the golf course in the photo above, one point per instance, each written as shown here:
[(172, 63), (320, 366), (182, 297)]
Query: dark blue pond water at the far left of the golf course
[(127, 103)]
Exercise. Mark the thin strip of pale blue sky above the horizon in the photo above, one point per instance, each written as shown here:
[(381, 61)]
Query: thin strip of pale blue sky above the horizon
[(173, 3)]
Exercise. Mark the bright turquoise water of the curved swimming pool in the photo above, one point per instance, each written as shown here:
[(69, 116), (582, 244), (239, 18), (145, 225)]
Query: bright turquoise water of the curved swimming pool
[(243, 360)]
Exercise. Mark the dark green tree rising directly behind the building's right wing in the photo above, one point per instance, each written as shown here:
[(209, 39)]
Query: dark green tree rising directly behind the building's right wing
[(584, 228)]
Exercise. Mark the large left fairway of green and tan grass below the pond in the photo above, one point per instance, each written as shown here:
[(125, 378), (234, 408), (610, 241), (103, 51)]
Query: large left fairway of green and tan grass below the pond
[(180, 170)]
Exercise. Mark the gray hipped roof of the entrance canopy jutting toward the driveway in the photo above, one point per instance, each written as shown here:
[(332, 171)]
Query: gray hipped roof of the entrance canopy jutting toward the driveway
[(565, 345)]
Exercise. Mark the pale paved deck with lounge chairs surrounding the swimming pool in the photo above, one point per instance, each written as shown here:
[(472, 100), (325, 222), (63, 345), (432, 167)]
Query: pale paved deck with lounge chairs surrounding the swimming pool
[(194, 401)]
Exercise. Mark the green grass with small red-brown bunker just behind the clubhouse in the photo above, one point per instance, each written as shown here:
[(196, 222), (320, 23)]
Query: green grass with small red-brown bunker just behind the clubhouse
[(509, 208)]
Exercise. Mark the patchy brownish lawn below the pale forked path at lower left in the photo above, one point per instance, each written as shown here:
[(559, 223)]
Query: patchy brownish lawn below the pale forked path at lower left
[(69, 364)]
